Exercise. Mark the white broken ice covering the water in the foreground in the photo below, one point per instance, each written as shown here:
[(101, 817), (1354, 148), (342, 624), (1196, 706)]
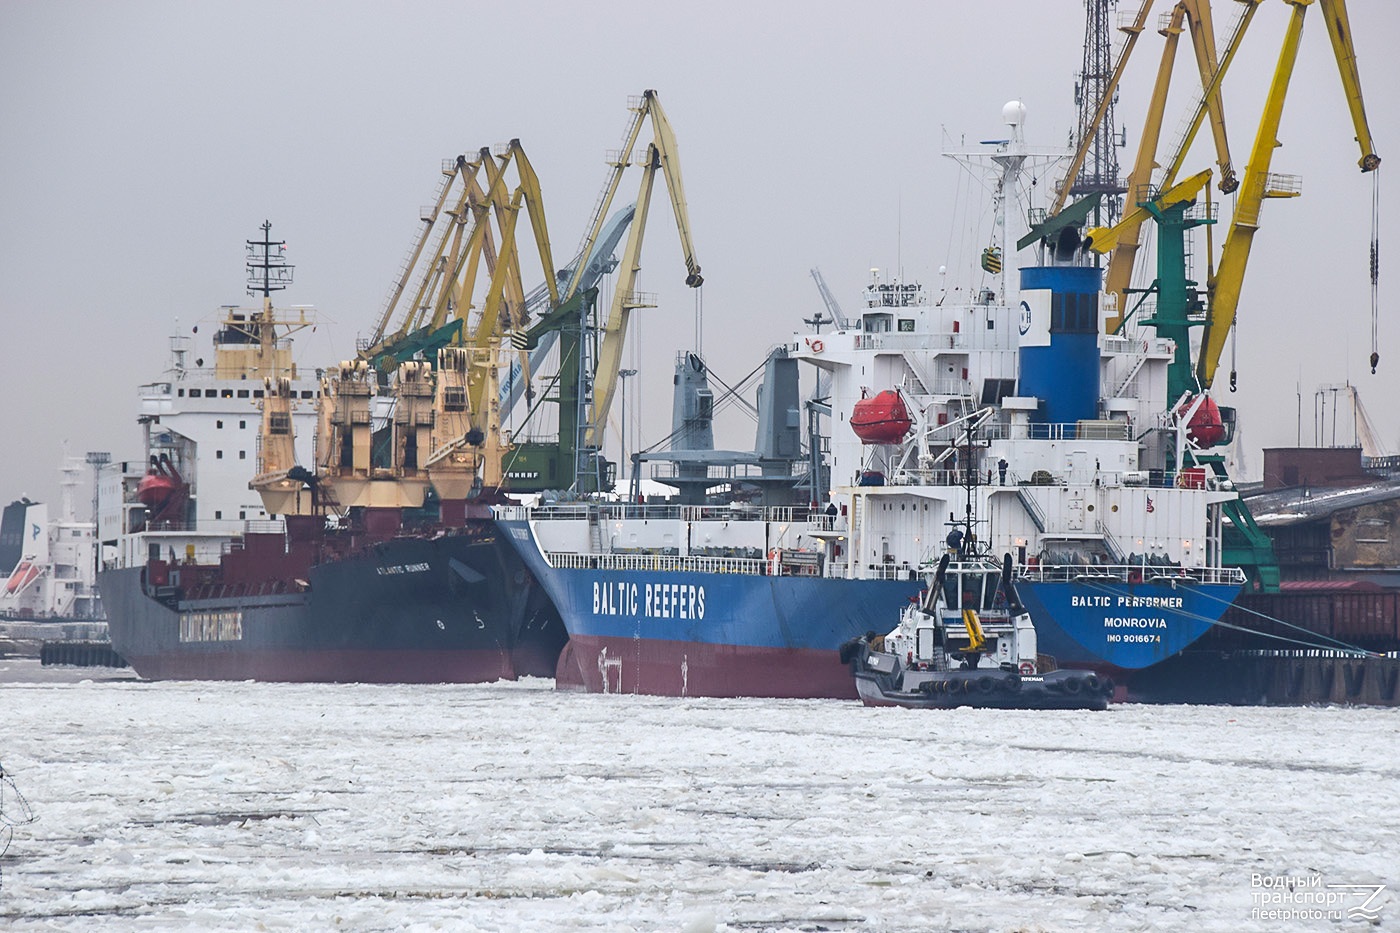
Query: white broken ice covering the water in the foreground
[(513, 808)]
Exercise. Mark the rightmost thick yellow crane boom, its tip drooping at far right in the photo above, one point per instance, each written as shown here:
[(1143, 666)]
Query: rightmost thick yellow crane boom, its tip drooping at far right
[(1259, 184)]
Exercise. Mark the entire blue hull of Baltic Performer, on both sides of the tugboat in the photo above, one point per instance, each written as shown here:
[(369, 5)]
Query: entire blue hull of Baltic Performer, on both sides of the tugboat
[(689, 634)]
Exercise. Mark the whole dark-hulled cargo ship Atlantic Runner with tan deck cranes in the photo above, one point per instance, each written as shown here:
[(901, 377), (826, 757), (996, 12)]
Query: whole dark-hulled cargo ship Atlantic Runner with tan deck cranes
[(233, 561)]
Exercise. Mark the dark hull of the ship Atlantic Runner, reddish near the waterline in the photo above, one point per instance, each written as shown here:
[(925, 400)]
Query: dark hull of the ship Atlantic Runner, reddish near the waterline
[(433, 610)]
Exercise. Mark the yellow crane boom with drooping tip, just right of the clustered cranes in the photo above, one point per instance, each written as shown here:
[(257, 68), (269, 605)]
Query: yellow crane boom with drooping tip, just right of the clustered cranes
[(663, 156)]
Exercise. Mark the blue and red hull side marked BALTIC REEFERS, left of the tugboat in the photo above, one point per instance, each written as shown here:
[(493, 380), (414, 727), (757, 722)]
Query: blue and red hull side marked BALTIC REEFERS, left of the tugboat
[(691, 634)]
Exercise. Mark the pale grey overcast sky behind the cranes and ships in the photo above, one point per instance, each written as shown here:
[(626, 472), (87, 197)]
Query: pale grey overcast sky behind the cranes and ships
[(145, 142)]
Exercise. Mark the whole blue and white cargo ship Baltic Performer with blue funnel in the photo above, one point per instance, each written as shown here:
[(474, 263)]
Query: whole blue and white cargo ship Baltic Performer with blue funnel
[(1006, 410)]
